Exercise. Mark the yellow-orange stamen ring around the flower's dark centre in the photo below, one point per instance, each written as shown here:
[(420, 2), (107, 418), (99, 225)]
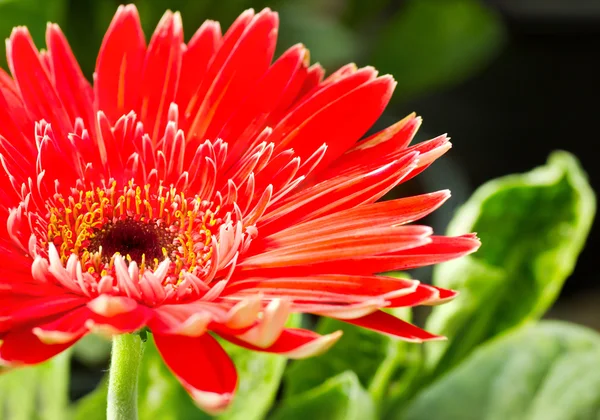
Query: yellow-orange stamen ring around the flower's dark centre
[(143, 224)]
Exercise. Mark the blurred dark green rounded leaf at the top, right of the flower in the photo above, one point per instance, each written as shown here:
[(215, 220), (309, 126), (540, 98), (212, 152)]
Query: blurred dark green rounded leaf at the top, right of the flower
[(435, 43)]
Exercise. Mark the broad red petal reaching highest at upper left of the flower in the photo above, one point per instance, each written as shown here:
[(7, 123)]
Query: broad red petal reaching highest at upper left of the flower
[(120, 63)]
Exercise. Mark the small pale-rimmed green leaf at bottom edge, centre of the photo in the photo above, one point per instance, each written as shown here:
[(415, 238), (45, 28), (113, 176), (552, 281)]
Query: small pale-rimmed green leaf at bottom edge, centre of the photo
[(339, 398)]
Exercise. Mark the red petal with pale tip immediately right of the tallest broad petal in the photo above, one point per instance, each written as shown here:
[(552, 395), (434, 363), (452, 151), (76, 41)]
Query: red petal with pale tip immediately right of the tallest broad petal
[(161, 74)]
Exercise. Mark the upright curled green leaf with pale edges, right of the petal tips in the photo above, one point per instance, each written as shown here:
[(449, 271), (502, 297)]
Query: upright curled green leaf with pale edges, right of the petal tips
[(532, 228)]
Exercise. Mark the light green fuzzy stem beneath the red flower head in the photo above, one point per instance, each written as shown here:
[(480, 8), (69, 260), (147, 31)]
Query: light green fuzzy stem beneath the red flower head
[(125, 362)]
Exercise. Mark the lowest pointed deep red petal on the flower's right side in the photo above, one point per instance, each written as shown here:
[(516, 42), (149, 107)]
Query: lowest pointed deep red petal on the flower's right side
[(388, 324)]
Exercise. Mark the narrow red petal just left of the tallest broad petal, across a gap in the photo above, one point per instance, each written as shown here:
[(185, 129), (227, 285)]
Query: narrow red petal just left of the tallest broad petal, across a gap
[(71, 85)]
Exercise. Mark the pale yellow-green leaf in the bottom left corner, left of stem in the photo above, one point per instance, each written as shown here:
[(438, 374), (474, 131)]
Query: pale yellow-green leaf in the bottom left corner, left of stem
[(36, 392)]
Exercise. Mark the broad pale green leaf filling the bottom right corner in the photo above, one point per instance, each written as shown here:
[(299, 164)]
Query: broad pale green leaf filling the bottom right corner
[(547, 371)]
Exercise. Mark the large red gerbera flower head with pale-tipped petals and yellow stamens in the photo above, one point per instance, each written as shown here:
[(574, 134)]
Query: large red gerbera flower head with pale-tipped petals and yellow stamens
[(200, 187)]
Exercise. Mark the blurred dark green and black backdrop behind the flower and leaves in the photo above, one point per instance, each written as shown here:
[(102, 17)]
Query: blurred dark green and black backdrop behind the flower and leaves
[(510, 80)]
